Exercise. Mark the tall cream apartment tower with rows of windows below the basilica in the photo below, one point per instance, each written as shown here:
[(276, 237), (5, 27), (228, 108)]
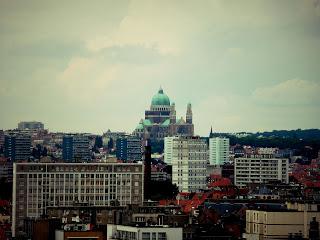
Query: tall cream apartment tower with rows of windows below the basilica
[(189, 163)]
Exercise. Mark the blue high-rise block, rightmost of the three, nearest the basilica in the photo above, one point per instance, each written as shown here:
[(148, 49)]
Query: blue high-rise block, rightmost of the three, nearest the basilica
[(129, 148)]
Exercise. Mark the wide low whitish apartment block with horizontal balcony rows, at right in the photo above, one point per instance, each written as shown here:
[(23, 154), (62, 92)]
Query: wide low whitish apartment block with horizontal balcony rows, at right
[(260, 169)]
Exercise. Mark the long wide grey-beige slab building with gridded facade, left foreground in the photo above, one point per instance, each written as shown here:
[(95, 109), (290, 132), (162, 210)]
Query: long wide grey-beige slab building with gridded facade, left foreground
[(39, 185)]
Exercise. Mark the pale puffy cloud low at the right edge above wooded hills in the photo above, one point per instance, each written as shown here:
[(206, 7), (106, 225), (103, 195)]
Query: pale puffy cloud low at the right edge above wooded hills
[(290, 92)]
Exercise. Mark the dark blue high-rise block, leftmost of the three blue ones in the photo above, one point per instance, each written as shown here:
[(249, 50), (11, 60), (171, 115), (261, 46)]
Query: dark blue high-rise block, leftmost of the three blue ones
[(17, 147)]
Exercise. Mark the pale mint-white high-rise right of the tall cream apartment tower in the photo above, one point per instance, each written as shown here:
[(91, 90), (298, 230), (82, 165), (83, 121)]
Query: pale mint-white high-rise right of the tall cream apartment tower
[(218, 150)]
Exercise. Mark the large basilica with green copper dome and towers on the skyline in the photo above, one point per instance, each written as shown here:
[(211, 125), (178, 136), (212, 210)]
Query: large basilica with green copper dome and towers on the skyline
[(160, 121)]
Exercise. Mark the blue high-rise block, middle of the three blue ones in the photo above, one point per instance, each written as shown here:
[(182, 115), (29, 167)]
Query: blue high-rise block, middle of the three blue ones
[(75, 148)]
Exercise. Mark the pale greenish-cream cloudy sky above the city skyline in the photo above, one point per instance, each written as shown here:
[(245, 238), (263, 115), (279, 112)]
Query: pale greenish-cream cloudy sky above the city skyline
[(90, 66)]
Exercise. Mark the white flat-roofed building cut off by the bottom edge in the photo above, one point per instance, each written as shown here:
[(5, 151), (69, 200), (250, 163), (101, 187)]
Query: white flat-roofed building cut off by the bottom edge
[(142, 233)]
